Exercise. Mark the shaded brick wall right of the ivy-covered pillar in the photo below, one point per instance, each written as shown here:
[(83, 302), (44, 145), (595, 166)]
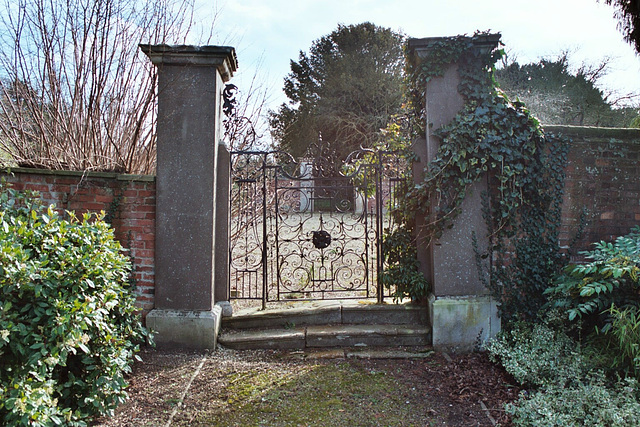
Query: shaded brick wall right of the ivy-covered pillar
[(602, 184)]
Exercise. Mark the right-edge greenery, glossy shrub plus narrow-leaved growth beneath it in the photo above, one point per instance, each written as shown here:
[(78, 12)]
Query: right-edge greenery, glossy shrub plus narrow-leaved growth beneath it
[(601, 297)]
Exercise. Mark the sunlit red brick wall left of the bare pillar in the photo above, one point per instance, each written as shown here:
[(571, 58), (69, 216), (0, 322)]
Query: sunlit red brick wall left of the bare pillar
[(129, 202)]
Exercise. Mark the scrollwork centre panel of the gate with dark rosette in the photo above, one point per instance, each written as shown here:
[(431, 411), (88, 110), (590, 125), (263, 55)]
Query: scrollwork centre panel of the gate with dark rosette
[(325, 245)]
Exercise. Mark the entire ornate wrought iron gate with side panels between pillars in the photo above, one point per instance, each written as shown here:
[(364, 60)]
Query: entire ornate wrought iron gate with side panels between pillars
[(301, 230)]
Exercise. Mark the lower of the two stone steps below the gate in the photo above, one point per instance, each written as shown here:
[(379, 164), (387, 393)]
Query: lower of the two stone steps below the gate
[(326, 336)]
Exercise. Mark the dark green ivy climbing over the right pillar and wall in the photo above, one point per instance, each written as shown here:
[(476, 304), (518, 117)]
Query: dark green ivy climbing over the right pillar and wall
[(495, 139)]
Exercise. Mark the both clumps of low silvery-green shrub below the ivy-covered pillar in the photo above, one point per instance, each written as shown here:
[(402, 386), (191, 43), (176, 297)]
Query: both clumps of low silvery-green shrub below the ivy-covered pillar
[(567, 389)]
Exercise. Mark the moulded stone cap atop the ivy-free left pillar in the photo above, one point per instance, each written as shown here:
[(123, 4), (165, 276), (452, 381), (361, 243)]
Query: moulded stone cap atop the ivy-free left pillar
[(222, 57)]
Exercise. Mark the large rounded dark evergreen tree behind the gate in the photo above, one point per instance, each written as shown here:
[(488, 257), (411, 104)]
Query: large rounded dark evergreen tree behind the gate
[(342, 92)]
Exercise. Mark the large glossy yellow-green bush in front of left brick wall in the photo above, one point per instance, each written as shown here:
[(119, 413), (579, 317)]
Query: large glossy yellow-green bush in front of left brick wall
[(68, 327)]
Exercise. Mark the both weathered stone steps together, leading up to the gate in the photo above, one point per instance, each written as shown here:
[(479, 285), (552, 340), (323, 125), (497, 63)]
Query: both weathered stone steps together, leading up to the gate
[(326, 325)]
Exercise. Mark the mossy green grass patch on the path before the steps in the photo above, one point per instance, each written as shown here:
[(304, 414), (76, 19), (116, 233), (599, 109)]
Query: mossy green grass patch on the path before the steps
[(321, 394)]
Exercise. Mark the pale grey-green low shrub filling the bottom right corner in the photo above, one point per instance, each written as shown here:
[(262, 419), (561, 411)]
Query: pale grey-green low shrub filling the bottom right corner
[(588, 403)]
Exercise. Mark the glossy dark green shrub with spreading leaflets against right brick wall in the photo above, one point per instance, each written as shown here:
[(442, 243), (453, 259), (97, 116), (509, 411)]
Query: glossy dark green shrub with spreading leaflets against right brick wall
[(611, 278)]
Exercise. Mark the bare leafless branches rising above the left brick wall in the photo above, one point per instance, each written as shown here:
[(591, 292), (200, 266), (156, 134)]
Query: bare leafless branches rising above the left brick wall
[(75, 92)]
